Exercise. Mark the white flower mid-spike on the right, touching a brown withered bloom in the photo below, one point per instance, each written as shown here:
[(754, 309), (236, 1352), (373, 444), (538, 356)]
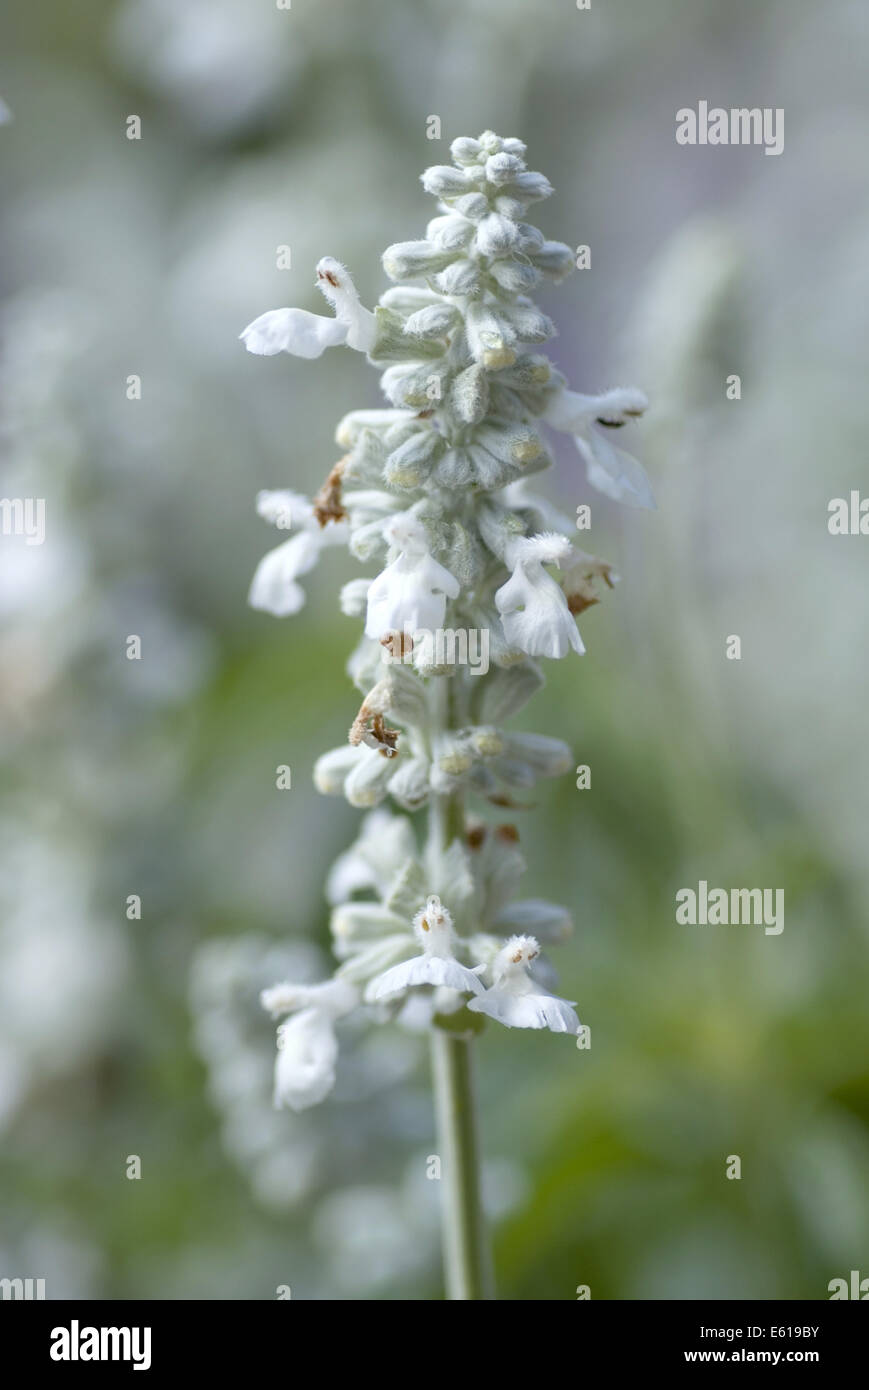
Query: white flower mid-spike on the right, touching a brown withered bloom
[(533, 608)]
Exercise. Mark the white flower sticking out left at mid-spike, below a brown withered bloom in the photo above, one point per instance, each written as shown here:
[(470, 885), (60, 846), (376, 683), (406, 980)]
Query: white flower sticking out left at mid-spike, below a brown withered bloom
[(273, 589)]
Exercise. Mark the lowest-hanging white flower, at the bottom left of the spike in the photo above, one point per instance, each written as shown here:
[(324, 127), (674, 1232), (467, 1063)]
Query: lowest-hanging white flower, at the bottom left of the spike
[(308, 1047)]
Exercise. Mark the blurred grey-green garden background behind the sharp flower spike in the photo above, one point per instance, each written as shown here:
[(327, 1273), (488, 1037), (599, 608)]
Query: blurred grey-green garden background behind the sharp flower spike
[(308, 129)]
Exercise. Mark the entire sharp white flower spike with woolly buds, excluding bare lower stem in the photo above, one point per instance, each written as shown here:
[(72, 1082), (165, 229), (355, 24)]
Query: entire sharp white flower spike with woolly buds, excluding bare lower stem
[(432, 494)]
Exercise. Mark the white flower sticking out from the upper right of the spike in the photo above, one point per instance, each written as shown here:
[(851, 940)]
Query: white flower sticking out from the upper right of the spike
[(611, 471)]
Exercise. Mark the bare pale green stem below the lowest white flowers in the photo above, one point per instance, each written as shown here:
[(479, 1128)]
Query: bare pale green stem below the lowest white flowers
[(466, 1259)]
